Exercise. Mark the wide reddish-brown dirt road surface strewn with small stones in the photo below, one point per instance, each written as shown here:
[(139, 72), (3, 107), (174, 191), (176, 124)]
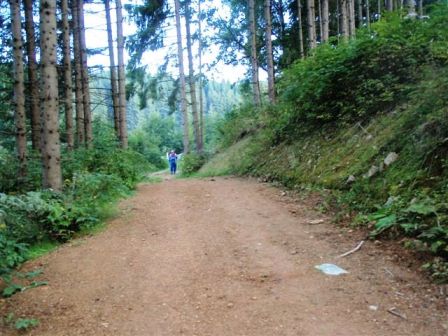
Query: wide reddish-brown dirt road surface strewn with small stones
[(230, 257)]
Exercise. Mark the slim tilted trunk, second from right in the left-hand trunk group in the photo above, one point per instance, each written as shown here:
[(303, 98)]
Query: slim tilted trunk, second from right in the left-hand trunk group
[(113, 71)]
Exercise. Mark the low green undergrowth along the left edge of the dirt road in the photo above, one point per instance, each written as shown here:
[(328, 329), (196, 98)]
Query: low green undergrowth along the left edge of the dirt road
[(33, 222)]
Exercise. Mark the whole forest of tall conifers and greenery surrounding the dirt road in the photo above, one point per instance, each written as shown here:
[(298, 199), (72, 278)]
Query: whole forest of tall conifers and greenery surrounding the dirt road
[(343, 98)]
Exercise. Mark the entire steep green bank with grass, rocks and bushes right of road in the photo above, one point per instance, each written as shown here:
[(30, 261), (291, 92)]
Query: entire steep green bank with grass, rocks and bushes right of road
[(367, 119)]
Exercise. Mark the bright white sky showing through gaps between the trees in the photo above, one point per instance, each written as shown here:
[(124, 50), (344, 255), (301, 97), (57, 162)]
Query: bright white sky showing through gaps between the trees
[(96, 37)]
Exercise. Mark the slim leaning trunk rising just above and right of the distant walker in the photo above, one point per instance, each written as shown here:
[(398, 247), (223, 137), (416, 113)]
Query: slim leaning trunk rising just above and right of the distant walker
[(180, 57)]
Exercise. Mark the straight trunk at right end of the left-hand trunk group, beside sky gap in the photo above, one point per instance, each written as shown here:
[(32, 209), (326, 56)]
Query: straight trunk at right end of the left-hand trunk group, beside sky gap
[(121, 78)]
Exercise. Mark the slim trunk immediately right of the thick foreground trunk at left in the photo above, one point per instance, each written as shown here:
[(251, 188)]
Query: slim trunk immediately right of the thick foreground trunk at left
[(67, 76)]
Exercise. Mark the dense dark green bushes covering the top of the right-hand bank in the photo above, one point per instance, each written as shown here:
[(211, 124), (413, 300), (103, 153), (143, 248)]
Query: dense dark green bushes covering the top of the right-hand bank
[(356, 80)]
